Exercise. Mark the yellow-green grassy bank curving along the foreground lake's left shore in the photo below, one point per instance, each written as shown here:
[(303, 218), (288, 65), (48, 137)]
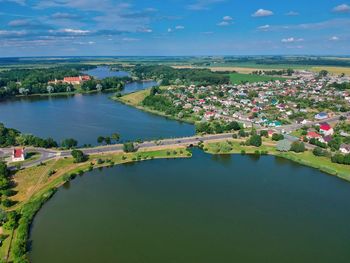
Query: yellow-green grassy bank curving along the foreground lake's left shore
[(36, 185)]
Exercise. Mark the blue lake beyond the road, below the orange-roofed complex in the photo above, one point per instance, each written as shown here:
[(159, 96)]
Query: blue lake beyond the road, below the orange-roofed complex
[(85, 117)]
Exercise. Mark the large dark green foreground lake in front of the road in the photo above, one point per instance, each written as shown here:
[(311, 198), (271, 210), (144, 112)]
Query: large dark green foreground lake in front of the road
[(201, 210)]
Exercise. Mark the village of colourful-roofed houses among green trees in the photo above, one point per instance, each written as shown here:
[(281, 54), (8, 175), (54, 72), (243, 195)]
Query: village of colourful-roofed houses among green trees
[(303, 100)]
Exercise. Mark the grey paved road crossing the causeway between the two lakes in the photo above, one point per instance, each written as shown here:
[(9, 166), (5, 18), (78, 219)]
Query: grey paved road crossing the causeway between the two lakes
[(48, 154)]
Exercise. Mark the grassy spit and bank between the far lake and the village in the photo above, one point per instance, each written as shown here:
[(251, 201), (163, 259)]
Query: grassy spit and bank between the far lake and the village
[(135, 100)]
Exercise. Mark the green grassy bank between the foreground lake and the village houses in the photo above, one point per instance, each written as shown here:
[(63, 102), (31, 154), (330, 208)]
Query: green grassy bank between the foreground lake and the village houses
[(306, 158)]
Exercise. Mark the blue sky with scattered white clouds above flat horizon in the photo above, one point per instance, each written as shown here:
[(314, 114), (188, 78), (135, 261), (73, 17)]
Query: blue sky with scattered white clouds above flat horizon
[(173, 27)]
